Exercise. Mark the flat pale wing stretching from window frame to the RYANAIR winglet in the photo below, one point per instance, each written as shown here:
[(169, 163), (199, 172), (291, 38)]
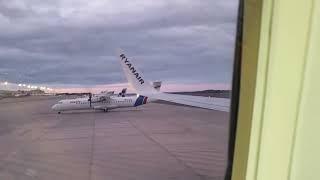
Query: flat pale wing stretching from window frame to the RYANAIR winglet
[(220, 104)]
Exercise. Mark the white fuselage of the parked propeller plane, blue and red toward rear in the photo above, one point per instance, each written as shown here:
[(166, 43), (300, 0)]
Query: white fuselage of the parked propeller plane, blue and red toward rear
[(109, 103)]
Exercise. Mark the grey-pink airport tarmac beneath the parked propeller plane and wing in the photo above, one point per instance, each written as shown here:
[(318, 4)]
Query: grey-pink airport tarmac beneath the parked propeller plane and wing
[(154, 141)]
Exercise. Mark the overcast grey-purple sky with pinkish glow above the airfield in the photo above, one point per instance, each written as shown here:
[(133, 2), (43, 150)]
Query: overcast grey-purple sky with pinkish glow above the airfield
[(74, 42)]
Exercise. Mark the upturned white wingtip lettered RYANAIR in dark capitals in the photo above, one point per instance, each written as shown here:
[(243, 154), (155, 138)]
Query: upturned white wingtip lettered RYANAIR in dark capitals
[(134, 76)]
